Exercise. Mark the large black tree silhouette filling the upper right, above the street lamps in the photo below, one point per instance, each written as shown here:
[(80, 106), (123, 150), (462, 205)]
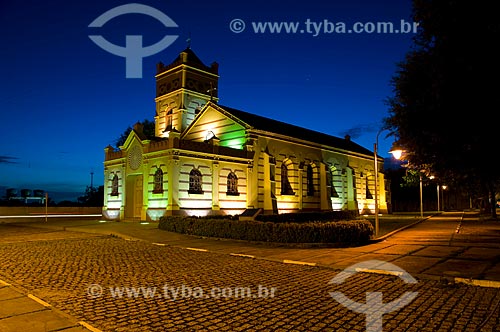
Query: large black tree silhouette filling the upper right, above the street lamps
[(445, 94)]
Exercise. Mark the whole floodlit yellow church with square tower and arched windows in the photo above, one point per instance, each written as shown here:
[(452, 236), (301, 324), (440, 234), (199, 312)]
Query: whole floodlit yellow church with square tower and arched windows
[(208, 158)]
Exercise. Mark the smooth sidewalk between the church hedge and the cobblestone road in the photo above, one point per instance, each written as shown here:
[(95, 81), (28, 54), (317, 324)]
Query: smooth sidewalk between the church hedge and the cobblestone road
[(450, 246)]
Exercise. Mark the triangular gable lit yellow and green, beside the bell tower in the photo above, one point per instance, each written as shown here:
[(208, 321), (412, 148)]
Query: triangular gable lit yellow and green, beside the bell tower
[(213, 119)]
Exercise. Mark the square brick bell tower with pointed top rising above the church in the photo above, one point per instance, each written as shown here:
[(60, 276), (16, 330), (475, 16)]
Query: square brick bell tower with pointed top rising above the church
[(182, 88)]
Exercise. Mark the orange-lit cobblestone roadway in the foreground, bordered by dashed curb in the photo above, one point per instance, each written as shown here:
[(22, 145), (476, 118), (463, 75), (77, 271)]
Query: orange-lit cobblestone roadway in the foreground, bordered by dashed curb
[(119, 285)]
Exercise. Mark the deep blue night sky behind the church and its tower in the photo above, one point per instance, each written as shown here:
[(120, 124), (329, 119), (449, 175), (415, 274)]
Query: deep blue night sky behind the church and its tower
[(64, 99)]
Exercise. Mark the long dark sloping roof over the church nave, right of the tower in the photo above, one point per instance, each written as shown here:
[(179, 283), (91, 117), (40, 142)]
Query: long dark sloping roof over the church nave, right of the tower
[(274, 126)]
